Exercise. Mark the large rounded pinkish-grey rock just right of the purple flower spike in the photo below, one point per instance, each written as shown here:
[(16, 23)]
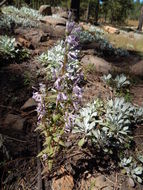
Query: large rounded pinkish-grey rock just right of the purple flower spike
[(100, 64)]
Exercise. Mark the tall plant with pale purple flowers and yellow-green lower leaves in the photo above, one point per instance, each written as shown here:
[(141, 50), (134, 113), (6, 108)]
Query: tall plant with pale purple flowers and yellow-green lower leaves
[(56, 112)]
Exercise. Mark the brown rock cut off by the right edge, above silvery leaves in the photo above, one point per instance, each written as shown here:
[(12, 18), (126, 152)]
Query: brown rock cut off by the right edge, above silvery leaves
[(137, 69)]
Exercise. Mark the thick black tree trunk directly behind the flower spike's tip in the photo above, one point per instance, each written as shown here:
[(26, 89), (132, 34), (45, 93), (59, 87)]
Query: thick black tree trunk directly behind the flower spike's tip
[(75, 7)]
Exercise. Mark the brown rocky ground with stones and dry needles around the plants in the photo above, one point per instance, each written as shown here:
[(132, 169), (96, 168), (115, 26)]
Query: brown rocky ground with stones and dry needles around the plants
[(20, 168)]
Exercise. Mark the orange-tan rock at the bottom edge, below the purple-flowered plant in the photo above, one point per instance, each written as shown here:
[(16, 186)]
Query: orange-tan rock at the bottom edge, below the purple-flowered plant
[(65, 182)]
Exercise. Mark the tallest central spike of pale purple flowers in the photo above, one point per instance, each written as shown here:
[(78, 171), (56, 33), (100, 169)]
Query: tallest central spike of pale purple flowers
[(69, 93)]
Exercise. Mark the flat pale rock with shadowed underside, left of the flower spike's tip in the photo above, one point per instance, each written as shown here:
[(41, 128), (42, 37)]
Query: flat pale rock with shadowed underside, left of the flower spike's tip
[(54, 21)]
